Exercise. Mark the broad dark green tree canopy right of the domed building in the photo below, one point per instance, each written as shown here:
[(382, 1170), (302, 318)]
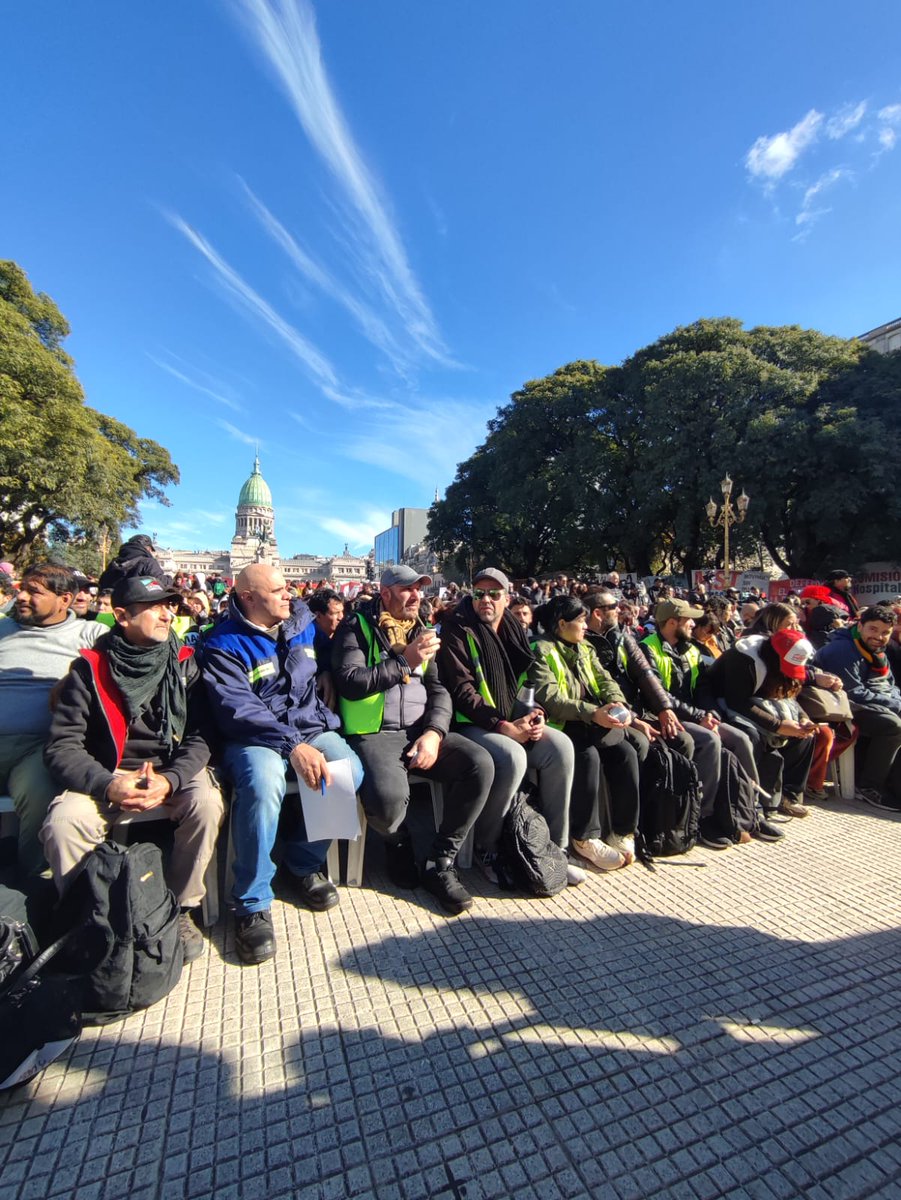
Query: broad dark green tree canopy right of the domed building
[(598, 464)]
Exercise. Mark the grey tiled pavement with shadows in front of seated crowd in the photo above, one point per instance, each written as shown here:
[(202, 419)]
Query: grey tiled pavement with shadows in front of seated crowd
[(726, 1027)]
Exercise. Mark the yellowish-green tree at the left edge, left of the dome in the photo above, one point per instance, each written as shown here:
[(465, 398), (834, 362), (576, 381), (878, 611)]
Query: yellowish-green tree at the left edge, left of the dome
[(68, 473)]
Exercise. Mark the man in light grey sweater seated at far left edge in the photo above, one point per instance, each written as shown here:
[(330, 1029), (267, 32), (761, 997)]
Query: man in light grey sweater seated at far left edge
[(38, 644)]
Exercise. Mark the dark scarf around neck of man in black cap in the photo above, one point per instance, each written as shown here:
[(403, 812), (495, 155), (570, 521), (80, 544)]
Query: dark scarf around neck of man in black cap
[(145, 673)]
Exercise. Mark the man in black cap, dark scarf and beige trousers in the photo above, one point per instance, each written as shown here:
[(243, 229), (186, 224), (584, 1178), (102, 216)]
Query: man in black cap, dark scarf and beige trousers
[(129, 735)]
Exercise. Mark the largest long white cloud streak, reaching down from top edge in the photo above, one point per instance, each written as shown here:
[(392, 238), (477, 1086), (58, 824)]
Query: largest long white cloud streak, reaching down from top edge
[(286, 33)]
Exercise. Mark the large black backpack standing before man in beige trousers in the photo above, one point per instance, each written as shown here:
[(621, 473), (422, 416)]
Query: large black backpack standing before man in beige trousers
[(122, 897)]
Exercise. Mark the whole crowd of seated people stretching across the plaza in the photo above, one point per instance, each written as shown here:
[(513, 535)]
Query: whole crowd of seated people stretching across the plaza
[(141, 693)]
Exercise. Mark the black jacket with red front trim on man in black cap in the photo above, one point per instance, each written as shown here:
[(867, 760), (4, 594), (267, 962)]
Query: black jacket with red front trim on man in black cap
[(91, 736)]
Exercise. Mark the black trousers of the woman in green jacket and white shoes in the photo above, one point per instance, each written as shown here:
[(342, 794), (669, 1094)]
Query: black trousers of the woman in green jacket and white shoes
[(612, 758)]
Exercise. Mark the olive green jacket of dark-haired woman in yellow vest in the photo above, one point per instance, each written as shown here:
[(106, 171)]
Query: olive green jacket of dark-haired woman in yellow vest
[(561, 675)]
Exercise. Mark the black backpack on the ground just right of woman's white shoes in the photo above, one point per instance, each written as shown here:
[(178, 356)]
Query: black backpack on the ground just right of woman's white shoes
[(671, 802)]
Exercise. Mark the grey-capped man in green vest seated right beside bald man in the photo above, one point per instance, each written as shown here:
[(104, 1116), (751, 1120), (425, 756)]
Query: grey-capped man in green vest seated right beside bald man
[(397, 715)]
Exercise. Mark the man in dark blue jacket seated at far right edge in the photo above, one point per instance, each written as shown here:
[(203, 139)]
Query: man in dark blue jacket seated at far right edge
[(858, 657)]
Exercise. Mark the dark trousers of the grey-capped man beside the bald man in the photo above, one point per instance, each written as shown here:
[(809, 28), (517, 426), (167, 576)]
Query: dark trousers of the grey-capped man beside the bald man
[(464, 769)]
